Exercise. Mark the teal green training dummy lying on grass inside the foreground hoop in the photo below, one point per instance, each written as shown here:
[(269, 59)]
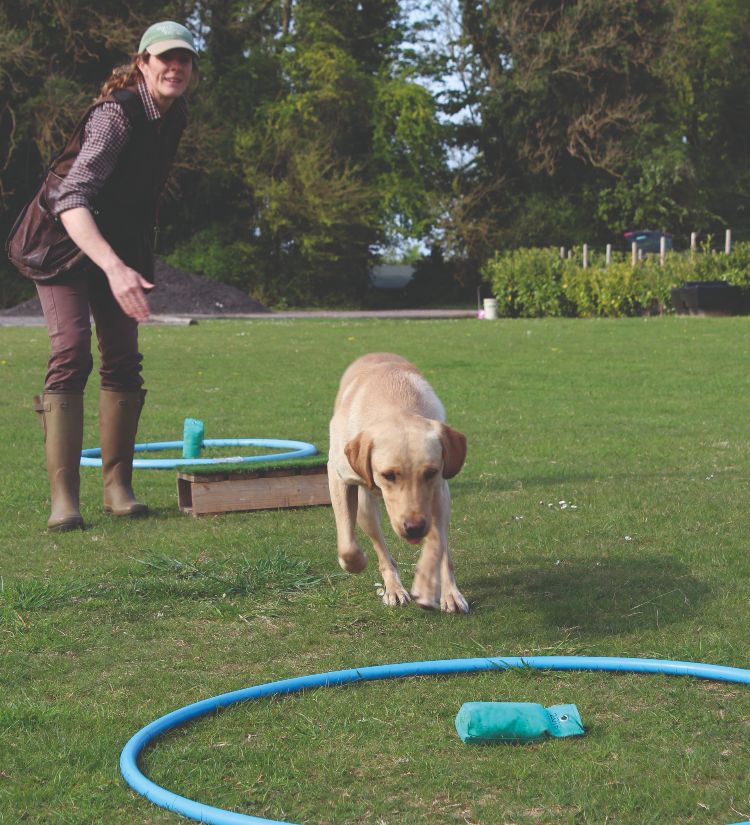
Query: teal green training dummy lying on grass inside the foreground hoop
[(488, 722)]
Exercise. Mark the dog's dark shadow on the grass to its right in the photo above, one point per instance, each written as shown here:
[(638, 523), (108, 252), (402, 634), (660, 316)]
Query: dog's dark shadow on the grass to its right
[(597, 597)]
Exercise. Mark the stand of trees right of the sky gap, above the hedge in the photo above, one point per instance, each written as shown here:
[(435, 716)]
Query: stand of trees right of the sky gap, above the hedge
[(596, 116)]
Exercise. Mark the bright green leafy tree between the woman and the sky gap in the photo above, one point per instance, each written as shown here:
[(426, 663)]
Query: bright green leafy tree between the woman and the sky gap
[(340, 151)]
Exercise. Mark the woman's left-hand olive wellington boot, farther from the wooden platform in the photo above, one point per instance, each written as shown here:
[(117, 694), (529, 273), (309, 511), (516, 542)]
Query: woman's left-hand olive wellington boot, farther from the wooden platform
[(62, 420)]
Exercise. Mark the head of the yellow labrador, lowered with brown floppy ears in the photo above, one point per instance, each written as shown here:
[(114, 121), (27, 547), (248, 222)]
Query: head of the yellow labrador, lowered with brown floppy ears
[(408, 463)]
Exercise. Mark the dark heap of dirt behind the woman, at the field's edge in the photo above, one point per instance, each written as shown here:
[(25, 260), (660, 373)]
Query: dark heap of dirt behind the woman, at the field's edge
[(178, 293)]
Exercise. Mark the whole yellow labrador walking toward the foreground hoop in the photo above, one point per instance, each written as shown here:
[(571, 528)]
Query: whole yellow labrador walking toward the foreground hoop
[(388, 439)]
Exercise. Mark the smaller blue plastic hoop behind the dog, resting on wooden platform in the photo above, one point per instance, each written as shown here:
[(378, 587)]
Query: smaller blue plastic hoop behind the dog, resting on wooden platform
[(91, 457)]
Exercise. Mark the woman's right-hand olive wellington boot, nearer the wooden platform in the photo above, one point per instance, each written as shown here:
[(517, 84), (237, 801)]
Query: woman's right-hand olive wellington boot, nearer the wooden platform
[(118, 424)]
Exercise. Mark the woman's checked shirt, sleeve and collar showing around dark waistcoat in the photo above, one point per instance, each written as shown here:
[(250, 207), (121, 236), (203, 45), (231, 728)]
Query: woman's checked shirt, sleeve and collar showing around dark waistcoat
[(104, 136)]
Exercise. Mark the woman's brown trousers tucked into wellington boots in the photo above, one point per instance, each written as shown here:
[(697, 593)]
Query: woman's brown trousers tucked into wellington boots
[(67, 306)]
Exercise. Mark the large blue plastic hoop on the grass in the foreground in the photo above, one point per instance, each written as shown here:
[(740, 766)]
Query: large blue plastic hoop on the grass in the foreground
[(218, 816)]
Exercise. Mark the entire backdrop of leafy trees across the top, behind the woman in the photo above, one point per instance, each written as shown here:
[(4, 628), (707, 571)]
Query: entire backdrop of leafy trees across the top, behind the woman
[(325, 132)]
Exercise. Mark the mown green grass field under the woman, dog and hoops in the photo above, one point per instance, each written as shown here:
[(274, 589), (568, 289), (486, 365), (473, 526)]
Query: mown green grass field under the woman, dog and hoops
[(603, 510)]
